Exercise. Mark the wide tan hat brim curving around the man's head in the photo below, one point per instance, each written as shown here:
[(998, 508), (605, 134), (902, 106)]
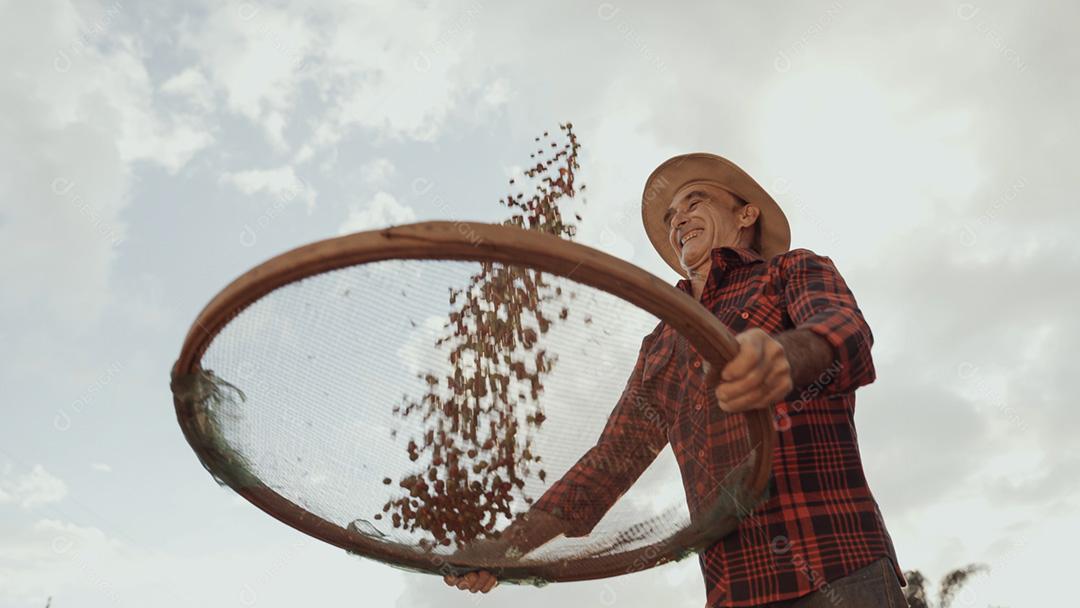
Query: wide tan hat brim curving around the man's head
[(677, 172)]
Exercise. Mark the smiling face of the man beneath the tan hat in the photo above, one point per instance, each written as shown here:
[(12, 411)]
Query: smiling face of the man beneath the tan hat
[(700, 219)]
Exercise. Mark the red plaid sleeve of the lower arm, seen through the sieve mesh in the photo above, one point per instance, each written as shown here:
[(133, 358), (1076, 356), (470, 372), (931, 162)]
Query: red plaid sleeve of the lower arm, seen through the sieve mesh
[(632, 438)]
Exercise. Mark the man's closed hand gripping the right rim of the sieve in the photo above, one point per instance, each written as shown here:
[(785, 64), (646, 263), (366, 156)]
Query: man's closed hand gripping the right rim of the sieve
[(759, 376)]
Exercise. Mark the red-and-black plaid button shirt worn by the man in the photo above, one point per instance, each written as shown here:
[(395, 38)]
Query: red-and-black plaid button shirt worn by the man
[(820, 522)]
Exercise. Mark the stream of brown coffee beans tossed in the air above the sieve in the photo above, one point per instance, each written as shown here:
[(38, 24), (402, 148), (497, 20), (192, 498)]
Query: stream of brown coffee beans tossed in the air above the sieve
[(498, 316)]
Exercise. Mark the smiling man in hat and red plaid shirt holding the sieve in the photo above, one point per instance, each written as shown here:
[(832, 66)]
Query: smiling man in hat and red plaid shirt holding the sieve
[(819, 539)]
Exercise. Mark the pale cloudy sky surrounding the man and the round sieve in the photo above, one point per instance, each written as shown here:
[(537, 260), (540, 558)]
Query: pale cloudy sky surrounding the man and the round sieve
[(156, 152)]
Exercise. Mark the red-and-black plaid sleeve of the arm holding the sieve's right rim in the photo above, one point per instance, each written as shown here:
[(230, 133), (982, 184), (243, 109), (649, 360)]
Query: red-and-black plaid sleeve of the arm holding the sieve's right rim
[(819, 300)]
